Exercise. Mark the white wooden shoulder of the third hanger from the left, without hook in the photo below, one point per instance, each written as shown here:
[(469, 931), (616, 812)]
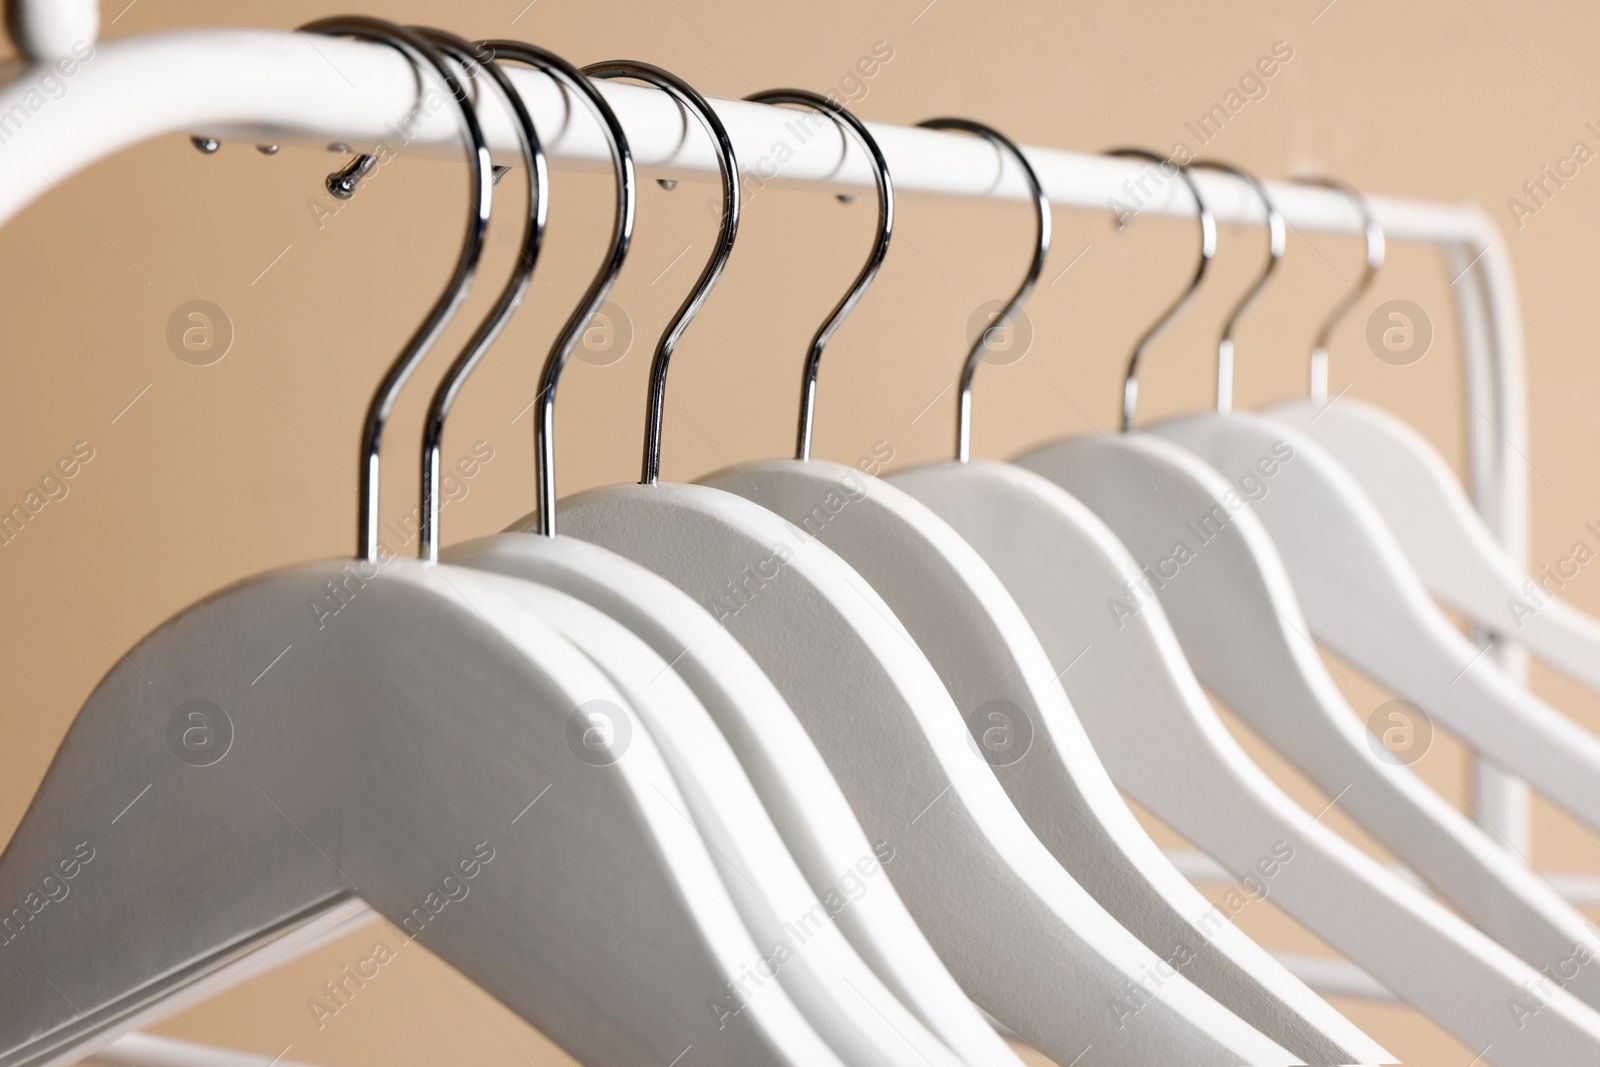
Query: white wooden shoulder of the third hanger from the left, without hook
[(783, 765)]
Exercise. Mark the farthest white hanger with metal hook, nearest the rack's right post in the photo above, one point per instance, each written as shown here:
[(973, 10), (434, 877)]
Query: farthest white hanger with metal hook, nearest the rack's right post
[(1431, 518)]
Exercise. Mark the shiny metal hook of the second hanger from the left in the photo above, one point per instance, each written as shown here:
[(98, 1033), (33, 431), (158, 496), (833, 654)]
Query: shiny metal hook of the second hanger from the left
[(511, 297)]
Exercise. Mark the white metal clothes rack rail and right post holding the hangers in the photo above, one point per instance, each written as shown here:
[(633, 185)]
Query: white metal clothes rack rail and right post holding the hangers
[(278, 87)]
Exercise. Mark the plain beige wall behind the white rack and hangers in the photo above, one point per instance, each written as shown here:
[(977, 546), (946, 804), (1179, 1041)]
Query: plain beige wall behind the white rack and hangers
[(202, 476)]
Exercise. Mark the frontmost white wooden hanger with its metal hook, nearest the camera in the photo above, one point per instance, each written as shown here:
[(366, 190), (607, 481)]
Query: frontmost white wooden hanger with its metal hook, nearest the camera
[(252, 802)]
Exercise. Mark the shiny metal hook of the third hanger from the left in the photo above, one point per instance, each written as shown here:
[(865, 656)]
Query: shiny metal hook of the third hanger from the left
[(574, 81)]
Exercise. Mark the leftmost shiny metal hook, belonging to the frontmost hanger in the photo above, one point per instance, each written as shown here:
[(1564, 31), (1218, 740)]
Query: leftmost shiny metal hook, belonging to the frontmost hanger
[(418, 50)]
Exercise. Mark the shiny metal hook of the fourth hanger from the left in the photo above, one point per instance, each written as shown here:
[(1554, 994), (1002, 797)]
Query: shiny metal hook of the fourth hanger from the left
[(727, 230)]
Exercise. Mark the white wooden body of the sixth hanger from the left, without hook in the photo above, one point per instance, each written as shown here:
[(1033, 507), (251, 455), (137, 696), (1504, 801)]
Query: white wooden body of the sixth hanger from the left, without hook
[(1164, 743)]
